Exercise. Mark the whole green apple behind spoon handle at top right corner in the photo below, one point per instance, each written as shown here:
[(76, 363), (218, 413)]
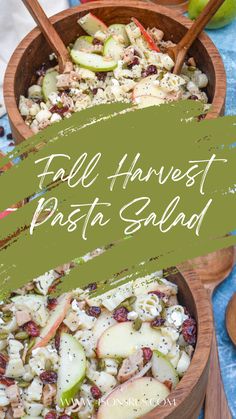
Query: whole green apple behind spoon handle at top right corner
[(225, 14)]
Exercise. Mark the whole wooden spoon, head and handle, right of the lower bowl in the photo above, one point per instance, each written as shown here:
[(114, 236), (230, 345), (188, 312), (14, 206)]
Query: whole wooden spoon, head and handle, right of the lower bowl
[(212, 270)]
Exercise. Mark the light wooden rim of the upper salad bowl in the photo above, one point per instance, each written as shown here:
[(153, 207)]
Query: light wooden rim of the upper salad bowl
[(22, 131)]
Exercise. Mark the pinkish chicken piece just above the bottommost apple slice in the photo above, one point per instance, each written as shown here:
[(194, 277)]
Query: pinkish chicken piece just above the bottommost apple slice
[(130, 366)]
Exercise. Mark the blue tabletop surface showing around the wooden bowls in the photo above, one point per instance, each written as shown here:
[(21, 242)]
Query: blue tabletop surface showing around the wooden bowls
[(225, 40)]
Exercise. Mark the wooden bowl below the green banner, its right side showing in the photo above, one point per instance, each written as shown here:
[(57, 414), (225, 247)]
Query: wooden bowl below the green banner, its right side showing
[(186, 400)]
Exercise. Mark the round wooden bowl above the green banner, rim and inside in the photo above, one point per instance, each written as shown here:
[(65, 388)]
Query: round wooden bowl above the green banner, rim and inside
[(34, 50)]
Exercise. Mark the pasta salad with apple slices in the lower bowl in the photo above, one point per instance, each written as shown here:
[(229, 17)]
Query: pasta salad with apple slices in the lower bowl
[(75, 356)]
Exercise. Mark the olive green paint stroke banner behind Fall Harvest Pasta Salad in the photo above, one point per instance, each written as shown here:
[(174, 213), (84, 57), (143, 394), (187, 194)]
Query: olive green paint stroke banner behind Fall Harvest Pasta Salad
[(166, 138)]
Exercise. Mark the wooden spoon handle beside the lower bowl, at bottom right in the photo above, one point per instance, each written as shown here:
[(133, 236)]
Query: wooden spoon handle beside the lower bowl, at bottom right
[(216, 405)]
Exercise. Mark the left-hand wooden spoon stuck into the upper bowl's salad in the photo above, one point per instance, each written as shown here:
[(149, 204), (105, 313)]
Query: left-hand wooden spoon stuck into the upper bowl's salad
[(49, 32)]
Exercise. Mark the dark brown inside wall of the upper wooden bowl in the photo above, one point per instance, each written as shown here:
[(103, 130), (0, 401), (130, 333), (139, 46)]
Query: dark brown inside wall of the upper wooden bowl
[(38, 51)]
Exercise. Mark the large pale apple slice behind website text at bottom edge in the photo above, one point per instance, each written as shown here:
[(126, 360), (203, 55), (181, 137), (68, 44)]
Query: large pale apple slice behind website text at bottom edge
[(129, 400)]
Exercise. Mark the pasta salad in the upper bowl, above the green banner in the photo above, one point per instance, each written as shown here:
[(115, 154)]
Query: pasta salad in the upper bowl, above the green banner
[(121, 62)]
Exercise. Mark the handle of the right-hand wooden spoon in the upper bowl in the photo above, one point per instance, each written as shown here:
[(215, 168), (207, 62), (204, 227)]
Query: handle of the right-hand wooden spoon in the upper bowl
[(200, 23)]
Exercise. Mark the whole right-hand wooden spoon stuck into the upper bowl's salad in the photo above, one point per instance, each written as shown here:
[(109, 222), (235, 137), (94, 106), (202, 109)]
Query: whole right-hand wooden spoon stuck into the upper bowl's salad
[(179, 51)]
